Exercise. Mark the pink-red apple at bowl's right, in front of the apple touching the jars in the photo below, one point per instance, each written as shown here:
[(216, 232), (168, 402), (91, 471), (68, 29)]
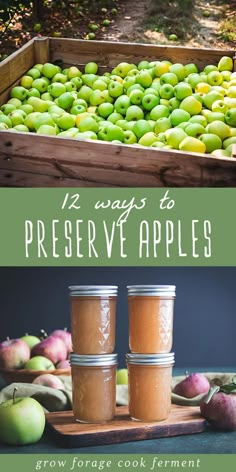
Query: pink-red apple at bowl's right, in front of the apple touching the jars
[(52, 347)]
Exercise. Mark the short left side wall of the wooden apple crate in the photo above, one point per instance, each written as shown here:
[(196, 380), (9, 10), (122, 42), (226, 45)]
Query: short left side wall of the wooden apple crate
[(14, 66)]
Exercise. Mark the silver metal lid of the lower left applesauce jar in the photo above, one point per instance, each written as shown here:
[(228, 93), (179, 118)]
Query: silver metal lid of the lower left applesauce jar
[(93, 359)]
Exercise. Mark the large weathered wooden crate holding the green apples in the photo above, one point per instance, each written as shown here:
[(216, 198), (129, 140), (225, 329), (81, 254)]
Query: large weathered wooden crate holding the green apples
[(30, 160)]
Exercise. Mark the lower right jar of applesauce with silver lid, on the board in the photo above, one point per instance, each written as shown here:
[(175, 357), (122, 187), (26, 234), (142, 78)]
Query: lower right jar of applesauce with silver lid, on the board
[(149, 386)]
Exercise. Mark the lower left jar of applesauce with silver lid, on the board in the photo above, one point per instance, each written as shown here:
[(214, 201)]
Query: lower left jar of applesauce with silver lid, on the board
[(93, 387)]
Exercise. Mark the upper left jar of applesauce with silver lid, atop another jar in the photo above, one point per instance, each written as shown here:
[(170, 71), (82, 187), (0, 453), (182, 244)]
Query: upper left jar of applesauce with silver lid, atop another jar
[(93, 318)]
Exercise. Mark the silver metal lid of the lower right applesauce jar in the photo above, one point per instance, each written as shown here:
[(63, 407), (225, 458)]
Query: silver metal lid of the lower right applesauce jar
[(158, 360)]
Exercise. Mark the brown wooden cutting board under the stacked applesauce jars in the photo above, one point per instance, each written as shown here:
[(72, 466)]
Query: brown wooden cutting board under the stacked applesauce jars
[(69, 433)]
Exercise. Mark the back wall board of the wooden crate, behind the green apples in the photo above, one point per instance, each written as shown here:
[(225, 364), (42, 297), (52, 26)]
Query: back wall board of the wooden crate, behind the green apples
[(109, 54)]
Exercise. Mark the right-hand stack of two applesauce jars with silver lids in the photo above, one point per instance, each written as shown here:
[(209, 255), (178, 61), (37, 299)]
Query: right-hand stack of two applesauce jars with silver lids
[(150, 361)]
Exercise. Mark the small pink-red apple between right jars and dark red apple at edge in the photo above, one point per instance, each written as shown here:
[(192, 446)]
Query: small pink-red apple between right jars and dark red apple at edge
[(192, 385)]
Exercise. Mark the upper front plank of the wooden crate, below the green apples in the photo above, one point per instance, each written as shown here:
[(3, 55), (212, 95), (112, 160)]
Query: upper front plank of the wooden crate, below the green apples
[(168, 168)]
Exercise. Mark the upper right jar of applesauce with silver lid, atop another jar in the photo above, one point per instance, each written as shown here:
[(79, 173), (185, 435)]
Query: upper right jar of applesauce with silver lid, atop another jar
[(151, 309)]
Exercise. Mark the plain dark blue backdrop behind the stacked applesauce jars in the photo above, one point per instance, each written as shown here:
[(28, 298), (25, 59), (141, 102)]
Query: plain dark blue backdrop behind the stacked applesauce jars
[(205, 306)]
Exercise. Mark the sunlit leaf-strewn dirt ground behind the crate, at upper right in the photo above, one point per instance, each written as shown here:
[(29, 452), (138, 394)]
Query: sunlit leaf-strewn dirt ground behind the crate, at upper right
[(201, 31)]
